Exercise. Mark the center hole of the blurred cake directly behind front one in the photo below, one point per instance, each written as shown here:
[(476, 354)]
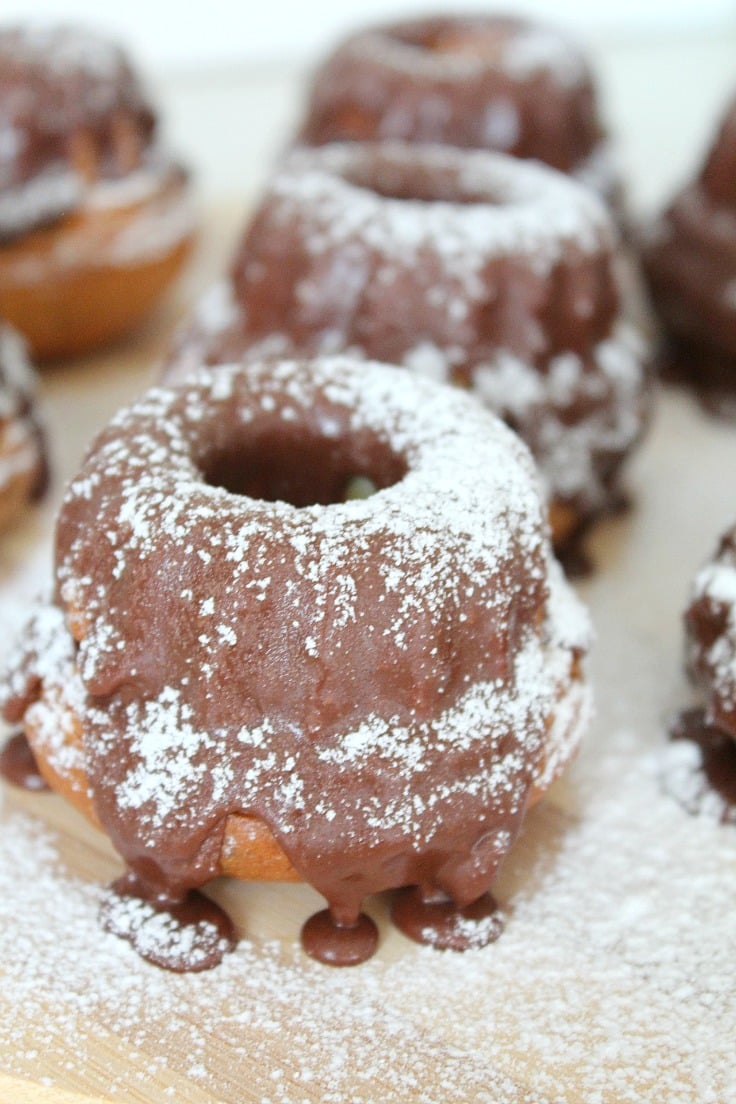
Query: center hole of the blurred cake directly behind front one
[(417, 183)]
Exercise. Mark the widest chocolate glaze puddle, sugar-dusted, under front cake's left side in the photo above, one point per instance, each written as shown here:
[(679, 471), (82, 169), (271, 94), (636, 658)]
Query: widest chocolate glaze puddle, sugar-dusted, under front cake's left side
[(186, 936)]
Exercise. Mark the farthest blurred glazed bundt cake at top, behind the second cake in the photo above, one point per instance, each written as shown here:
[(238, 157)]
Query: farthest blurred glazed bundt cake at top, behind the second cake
[(479, 82)]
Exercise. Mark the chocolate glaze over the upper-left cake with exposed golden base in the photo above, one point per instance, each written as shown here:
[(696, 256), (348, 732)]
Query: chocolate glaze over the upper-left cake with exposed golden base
[(80, 112)]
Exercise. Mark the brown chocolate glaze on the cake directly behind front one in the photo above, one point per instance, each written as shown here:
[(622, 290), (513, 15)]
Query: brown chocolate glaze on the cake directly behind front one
[(532, 315)]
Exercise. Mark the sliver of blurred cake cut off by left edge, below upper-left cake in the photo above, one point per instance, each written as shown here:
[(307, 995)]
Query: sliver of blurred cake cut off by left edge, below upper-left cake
[(24, 469)]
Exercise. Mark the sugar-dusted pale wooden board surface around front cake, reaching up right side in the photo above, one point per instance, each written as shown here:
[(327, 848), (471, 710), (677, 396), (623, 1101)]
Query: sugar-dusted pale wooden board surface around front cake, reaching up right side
[(613, 983)]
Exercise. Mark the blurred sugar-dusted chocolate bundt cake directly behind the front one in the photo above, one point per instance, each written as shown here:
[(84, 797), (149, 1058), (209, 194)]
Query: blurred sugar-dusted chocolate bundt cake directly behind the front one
[(492, 273)]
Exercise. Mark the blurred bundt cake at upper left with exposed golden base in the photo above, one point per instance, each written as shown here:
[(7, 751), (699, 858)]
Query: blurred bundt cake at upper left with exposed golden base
[(95, 219)]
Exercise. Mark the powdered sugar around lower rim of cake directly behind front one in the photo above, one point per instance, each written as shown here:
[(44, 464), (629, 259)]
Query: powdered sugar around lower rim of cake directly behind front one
[(611, 385)]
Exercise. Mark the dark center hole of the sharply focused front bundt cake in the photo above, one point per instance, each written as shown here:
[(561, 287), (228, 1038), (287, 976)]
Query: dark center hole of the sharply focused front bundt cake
[(305, 470)]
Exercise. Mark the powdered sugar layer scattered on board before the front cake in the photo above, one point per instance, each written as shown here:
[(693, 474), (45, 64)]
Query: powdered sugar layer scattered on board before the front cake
[(615, 961)]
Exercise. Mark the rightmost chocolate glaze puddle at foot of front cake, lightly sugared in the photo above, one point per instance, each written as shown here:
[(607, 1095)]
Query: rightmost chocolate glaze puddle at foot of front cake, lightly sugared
[(434, 919)]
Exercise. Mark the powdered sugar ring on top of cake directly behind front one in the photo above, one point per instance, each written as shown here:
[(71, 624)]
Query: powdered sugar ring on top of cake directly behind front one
[(531, 210)]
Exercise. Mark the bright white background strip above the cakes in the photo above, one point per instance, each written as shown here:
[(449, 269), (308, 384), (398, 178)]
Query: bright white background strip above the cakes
[(228, 33)]
